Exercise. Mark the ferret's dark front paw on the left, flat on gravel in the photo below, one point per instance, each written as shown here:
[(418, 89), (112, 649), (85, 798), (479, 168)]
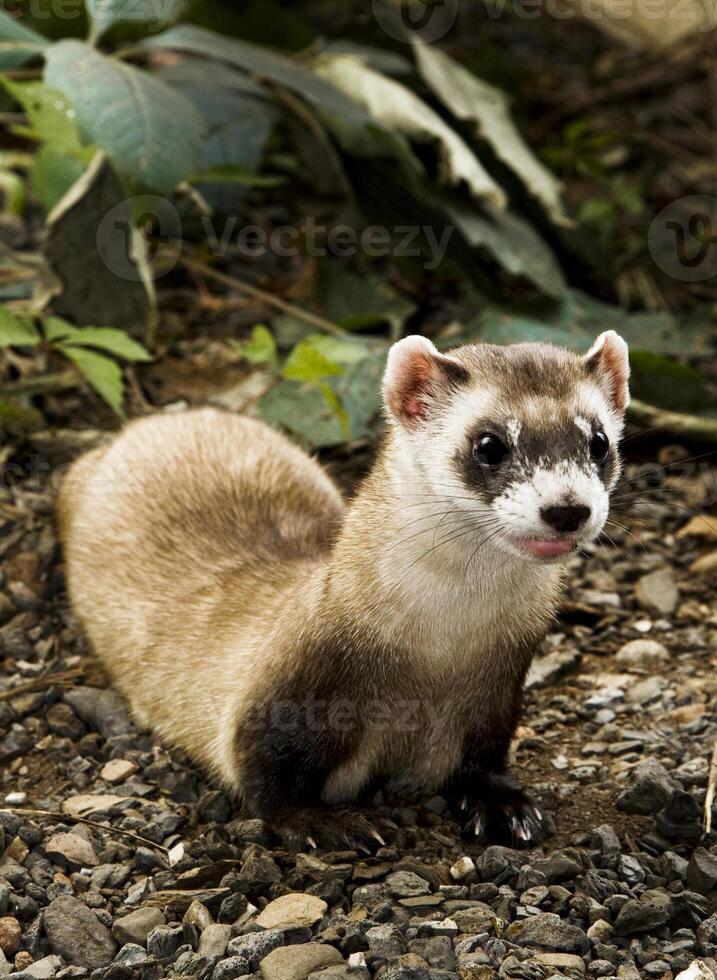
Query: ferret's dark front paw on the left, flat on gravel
[(329, 828)]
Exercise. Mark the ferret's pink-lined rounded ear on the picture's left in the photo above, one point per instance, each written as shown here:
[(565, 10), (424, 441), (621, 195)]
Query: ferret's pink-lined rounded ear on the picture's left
[(417, 378)]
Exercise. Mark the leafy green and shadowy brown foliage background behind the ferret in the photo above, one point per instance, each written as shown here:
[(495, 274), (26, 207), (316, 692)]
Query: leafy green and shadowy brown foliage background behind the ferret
[(144, 138)]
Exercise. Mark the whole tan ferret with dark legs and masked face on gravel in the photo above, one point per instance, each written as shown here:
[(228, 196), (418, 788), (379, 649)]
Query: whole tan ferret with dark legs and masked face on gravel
[(304, 649)]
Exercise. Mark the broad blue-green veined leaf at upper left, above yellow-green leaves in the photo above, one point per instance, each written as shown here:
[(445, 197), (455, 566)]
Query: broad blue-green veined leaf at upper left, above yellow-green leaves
[(150, 132)]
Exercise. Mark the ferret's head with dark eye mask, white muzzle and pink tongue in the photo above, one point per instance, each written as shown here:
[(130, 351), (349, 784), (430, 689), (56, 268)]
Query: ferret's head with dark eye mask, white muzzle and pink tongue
[(523, 438)]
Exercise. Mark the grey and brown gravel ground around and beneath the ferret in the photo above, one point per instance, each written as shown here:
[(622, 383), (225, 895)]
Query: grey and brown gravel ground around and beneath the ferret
[(166, 879)]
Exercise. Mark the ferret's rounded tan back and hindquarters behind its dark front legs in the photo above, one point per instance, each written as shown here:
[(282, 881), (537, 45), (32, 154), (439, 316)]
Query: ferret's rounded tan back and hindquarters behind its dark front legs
[(183, 541)]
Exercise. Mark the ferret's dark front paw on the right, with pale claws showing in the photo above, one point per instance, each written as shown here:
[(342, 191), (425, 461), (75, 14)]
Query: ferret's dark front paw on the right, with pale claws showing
[(499, 811)]
